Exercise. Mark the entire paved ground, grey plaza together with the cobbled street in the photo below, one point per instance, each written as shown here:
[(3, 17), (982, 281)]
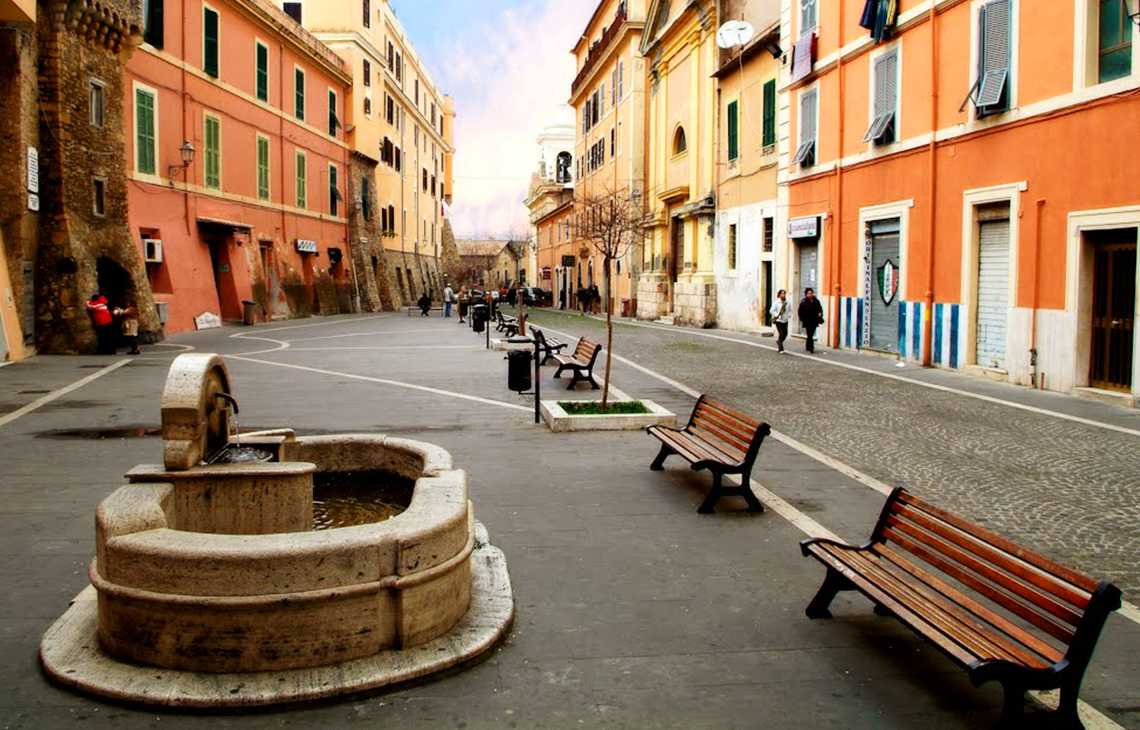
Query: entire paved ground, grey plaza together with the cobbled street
[(632, 610)]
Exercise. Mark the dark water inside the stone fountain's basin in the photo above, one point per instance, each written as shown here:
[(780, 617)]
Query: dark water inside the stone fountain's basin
[(351, 499)]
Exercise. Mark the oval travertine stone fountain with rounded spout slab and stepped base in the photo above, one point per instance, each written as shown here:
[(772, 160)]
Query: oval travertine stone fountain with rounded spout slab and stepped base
[(211, 589)]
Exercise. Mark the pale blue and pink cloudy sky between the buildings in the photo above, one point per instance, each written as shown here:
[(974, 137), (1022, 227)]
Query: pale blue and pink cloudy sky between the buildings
[(508, 66)]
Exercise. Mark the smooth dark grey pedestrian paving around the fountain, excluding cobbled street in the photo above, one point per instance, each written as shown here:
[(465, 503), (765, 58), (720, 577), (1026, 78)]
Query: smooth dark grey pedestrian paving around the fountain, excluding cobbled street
[(633, 611)]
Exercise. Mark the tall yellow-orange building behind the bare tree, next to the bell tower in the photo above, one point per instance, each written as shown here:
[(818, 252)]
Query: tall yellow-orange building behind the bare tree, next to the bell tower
[(608, 96)]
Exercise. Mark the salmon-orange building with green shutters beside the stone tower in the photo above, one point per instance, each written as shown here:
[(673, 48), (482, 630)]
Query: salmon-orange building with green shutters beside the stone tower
[(238, 163)]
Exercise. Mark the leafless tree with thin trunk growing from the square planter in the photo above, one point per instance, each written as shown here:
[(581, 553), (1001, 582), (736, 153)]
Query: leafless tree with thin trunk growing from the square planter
[(610, 222)]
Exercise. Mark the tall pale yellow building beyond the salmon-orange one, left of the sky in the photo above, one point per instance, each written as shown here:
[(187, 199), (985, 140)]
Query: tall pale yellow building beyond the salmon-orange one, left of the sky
[(400, 118)]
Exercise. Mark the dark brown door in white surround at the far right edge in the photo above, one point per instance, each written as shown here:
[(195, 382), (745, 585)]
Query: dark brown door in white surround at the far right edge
[(1114, 297)]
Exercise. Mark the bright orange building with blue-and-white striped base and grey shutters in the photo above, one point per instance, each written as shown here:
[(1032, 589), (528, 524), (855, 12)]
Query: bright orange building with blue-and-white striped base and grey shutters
[(960, 184)]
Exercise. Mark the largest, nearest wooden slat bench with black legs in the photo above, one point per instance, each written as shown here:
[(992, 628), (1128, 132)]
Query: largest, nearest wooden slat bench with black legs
[(997, 610)]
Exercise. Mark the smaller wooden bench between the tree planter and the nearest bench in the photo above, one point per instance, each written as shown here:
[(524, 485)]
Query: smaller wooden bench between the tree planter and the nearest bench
[(718, 439)]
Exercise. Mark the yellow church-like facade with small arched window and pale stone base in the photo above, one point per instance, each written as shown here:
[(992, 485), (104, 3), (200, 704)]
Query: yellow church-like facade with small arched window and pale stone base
[(680, 50)]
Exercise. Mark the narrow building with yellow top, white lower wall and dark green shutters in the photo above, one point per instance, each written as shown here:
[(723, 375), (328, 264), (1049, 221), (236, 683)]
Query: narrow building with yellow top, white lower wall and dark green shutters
[(747, 165)]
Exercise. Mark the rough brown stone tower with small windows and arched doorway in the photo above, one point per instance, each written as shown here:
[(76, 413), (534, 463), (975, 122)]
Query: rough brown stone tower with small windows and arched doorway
[(83, 252)]
